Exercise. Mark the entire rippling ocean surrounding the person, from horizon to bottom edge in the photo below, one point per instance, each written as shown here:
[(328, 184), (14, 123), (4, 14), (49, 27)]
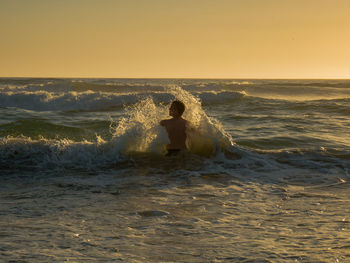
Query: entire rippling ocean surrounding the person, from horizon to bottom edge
[(83, 176)]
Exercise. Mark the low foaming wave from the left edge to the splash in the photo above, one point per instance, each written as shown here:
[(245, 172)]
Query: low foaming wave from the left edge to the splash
[(55, 154)]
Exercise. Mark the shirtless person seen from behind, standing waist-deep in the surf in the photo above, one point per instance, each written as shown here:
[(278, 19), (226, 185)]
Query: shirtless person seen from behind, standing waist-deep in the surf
[(176, 128)]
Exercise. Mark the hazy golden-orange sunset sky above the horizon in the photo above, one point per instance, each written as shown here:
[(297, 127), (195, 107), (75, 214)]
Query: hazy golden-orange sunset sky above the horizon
[(175, 38)]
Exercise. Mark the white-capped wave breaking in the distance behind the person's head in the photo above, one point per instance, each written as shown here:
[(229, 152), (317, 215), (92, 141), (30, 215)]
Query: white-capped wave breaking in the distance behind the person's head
[(93, 101)]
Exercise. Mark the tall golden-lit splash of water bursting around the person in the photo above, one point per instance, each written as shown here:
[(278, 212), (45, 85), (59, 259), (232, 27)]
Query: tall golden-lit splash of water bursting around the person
[(140, 129)]
